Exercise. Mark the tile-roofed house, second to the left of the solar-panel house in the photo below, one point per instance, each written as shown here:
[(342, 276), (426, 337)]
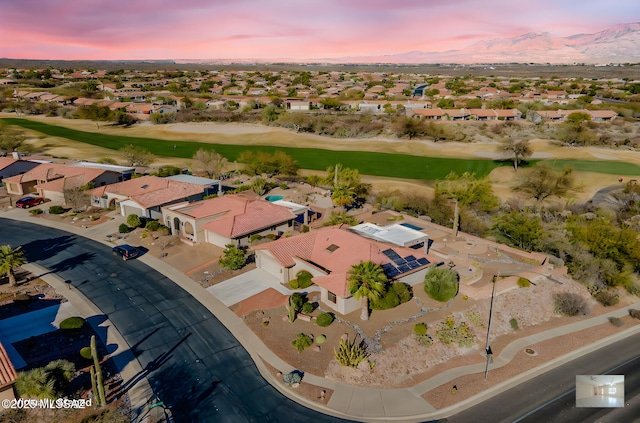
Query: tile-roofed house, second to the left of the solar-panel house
[(145, 196)]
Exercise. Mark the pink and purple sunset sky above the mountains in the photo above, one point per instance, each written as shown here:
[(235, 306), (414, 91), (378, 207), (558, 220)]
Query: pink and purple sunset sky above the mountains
[(302, 29)]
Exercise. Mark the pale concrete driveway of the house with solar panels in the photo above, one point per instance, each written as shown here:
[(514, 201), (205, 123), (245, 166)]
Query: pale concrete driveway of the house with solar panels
[(246, 285)]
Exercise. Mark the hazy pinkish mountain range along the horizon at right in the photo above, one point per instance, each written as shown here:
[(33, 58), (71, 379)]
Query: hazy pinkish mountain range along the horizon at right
[(617, 44)]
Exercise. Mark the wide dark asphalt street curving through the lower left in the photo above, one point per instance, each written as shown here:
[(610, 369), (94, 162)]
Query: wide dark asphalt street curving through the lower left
[(192, 361)]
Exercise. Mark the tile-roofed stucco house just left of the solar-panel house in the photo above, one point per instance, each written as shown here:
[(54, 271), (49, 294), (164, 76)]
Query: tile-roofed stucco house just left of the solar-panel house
[(231, 219)]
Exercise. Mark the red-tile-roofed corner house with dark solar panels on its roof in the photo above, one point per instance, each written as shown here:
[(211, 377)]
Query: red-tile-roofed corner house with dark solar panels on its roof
[(329, 253)]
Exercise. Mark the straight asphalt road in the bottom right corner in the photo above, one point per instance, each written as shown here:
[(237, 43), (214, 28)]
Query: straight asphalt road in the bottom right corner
[(550, 397)]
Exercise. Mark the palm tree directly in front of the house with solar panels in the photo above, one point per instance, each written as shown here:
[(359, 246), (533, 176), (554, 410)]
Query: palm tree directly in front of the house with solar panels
[(366, 282)]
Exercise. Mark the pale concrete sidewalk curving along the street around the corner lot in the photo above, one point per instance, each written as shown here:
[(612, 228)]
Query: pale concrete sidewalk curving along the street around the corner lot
[(359, 403)]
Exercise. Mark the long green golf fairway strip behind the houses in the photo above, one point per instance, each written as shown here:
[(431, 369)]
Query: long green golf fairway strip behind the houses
[(368, 163)]
